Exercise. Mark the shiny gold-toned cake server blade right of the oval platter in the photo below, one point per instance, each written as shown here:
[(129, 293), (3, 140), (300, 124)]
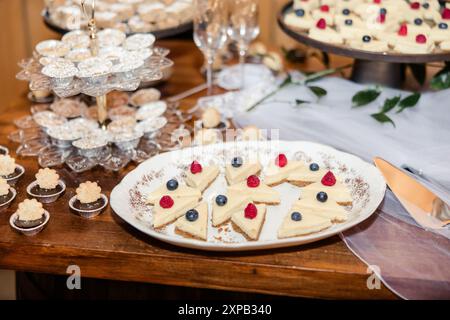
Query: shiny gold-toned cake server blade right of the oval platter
[(427, 209)]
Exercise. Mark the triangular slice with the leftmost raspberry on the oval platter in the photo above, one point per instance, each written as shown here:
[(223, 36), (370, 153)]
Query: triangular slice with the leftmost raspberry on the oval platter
[(168, 209)]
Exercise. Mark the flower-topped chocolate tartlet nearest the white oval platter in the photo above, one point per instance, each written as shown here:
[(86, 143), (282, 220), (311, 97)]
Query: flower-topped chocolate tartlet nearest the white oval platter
[(89, 201)]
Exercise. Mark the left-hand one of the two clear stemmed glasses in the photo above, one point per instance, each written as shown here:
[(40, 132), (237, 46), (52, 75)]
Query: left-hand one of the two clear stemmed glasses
[(210, 31)]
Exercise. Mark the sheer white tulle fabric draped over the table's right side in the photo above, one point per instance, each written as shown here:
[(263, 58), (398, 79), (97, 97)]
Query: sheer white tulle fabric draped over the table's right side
[(413, 262)]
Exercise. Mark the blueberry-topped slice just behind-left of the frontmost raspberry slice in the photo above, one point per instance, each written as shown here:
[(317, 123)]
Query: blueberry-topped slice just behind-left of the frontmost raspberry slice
[(224, 206)]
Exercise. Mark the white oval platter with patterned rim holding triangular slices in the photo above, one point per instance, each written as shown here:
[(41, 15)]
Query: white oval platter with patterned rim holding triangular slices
[(128, 197)]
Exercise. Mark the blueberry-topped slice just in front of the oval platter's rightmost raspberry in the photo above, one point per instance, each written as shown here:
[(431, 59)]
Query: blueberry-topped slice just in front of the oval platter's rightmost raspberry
[(328, 209)]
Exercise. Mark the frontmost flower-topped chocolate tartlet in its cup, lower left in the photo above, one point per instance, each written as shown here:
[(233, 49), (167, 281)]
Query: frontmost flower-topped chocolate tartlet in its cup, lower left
[(30, 217)]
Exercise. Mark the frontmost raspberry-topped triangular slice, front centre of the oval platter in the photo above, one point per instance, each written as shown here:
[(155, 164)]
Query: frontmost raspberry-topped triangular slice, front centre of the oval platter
[(250, 220)]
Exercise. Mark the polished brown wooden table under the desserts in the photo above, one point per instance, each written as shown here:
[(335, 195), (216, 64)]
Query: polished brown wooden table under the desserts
[(108, 248)]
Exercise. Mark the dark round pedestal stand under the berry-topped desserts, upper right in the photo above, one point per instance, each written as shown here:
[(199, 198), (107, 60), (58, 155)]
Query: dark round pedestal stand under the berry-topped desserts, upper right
[(370, 67)]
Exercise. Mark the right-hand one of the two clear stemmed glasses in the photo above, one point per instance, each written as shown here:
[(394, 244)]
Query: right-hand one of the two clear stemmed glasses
[(243, 27)]
